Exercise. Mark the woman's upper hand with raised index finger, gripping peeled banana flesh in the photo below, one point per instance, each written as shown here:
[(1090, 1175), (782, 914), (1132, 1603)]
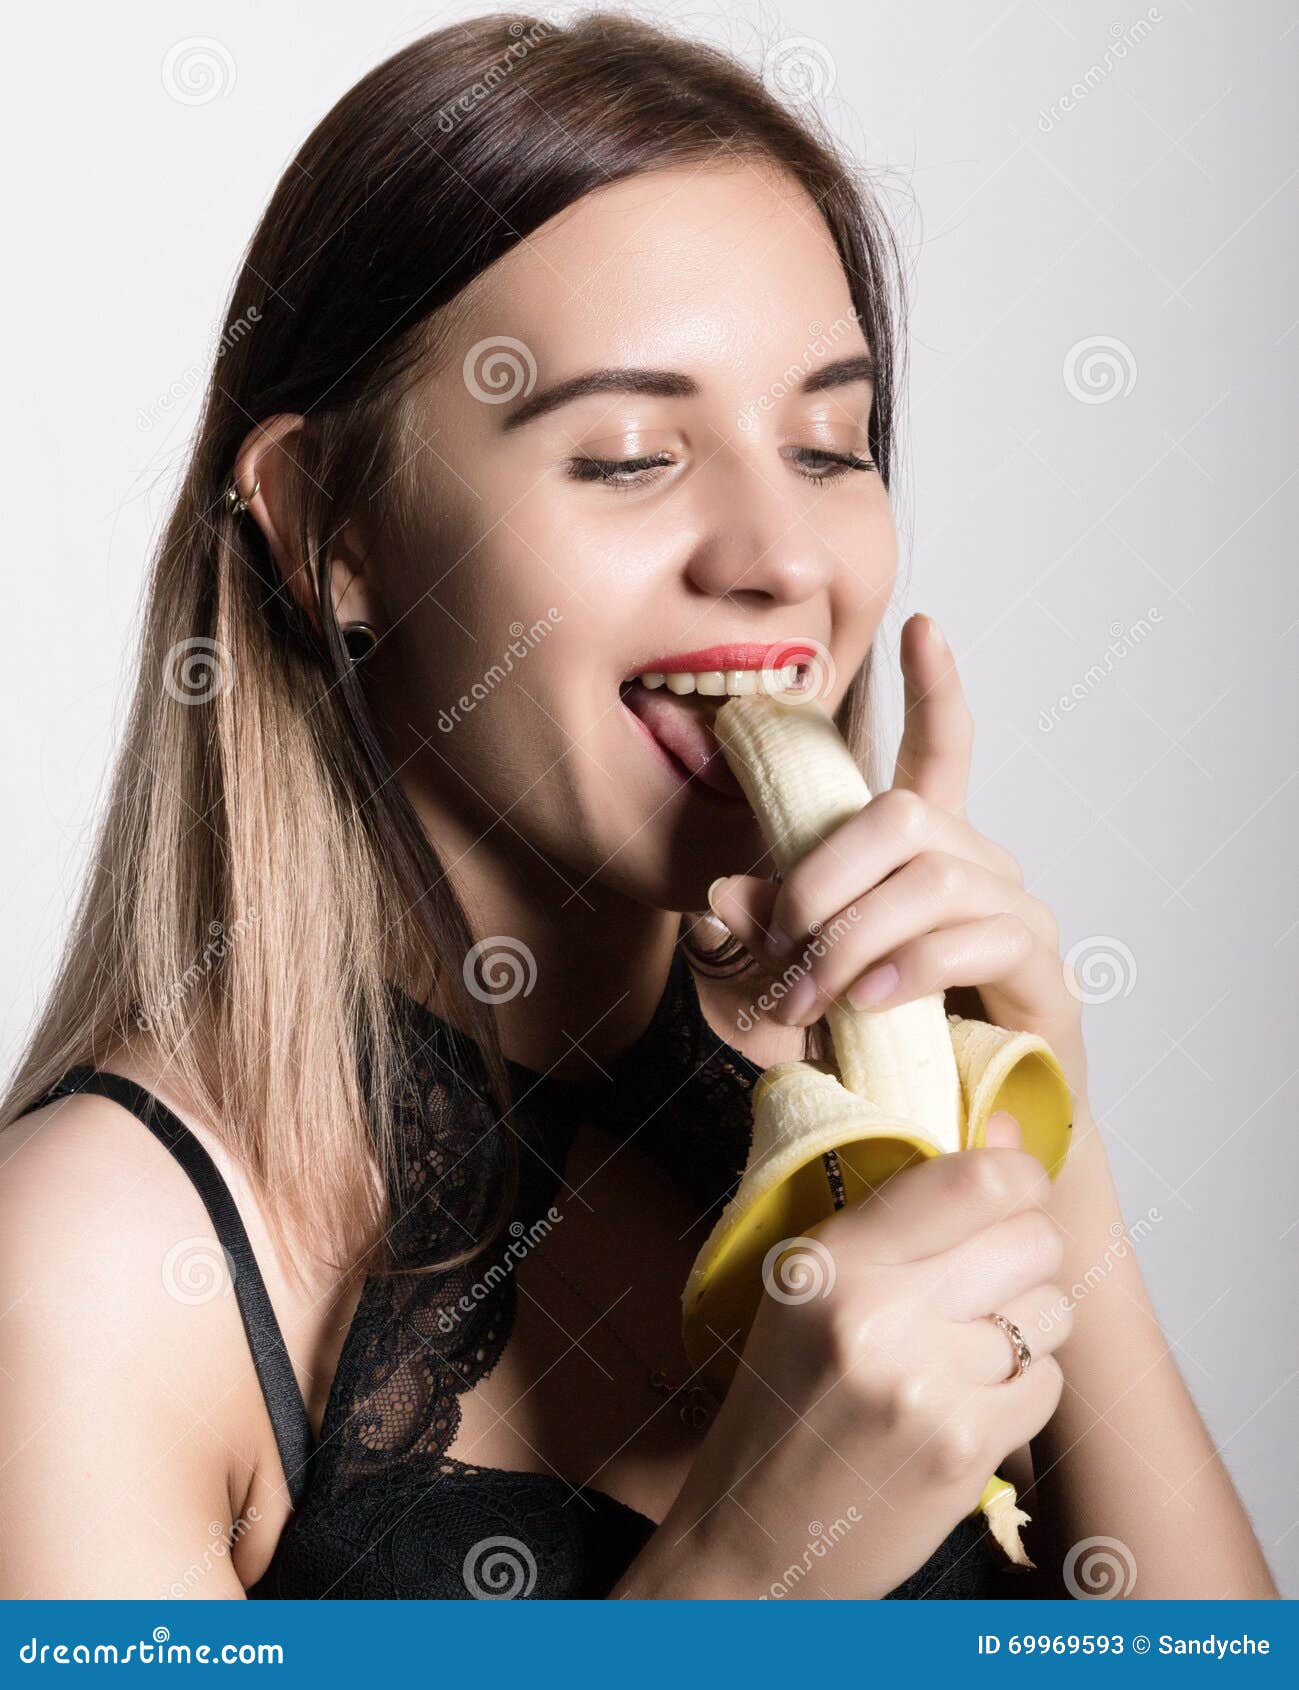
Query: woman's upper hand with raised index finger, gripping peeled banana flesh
[(925, 900)]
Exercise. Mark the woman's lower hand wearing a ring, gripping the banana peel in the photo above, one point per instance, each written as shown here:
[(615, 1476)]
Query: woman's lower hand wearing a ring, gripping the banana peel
[(866, 1420)]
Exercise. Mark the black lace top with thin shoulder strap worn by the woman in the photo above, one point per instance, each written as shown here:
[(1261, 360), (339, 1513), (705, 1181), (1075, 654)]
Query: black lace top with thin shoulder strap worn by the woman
[(381, 1508)]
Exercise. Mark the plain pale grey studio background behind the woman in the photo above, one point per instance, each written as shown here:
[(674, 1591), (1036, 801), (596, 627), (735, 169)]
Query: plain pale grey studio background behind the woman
[(1111, 523)]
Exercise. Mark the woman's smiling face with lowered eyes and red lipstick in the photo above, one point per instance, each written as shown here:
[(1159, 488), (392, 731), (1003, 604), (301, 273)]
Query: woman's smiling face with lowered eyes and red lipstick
[(545, 579)]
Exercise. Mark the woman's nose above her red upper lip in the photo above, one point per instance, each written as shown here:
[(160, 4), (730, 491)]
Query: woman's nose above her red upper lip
[(758, 538)]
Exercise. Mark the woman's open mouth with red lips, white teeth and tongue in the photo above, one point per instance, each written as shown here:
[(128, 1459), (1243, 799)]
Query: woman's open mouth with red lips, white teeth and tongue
[(675, 709)]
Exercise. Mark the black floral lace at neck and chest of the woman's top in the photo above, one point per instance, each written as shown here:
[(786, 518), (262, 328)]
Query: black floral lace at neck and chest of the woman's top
[(418, 1343)]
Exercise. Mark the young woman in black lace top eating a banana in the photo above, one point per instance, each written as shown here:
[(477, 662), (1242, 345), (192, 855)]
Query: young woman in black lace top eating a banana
[(396, 1069)]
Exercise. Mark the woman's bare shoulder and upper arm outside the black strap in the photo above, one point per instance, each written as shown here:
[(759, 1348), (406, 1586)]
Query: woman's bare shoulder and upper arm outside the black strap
[(122, 1446)]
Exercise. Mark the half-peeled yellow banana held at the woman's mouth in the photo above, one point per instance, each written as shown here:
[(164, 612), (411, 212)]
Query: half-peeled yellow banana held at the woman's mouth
[(906, 1084)]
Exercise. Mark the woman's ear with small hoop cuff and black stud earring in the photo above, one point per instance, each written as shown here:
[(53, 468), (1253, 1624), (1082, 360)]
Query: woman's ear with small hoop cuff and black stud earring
[(268, 462)]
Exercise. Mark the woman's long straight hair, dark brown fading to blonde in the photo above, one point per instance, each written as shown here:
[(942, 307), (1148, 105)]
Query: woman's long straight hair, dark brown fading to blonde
[(258, 859)]
